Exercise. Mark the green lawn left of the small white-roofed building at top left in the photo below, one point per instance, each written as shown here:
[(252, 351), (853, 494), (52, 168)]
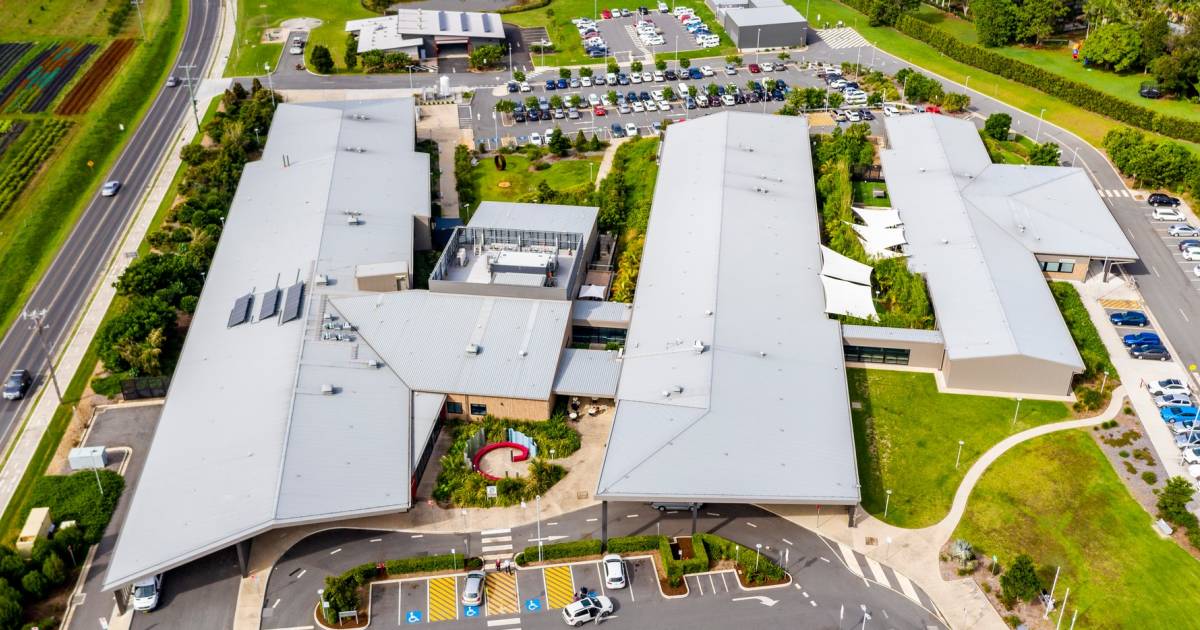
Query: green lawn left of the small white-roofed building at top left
[(254, 16)]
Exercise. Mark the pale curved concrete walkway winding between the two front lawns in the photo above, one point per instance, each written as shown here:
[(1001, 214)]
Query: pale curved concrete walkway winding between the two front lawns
[(915, 553)]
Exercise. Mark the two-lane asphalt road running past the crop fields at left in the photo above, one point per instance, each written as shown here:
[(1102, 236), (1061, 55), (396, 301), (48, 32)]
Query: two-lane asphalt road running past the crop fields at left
[(69, 281)]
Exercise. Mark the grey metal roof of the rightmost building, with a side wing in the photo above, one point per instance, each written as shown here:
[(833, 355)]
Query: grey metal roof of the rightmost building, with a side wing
[(974, 227)]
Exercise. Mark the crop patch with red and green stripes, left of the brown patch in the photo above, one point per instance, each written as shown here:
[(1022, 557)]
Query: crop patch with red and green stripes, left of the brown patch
[(39, 83)]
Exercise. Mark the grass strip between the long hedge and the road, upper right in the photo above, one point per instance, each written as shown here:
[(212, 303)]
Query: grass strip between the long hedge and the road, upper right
[(1085, 124)]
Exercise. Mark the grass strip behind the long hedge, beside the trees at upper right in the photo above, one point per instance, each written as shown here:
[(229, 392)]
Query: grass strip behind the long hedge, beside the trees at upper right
[(1058, 61)]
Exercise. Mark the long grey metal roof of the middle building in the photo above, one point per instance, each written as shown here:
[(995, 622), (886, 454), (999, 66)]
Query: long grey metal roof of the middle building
[(733, 262)]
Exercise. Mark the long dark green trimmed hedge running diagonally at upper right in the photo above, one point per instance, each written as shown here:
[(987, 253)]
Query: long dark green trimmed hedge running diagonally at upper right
[(1039, 79)]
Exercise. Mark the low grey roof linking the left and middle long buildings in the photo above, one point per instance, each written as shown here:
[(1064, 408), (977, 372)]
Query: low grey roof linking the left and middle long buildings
[(424, 338)]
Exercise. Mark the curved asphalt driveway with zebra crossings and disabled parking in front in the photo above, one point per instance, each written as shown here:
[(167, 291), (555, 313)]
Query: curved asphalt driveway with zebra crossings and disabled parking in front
[(825, 593)]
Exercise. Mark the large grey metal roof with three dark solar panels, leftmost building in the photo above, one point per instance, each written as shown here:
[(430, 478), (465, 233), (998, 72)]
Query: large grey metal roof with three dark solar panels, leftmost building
[(243, 443)]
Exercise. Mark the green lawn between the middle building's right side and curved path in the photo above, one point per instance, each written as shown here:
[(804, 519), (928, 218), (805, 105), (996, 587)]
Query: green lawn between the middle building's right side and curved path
[(908, 435)]
